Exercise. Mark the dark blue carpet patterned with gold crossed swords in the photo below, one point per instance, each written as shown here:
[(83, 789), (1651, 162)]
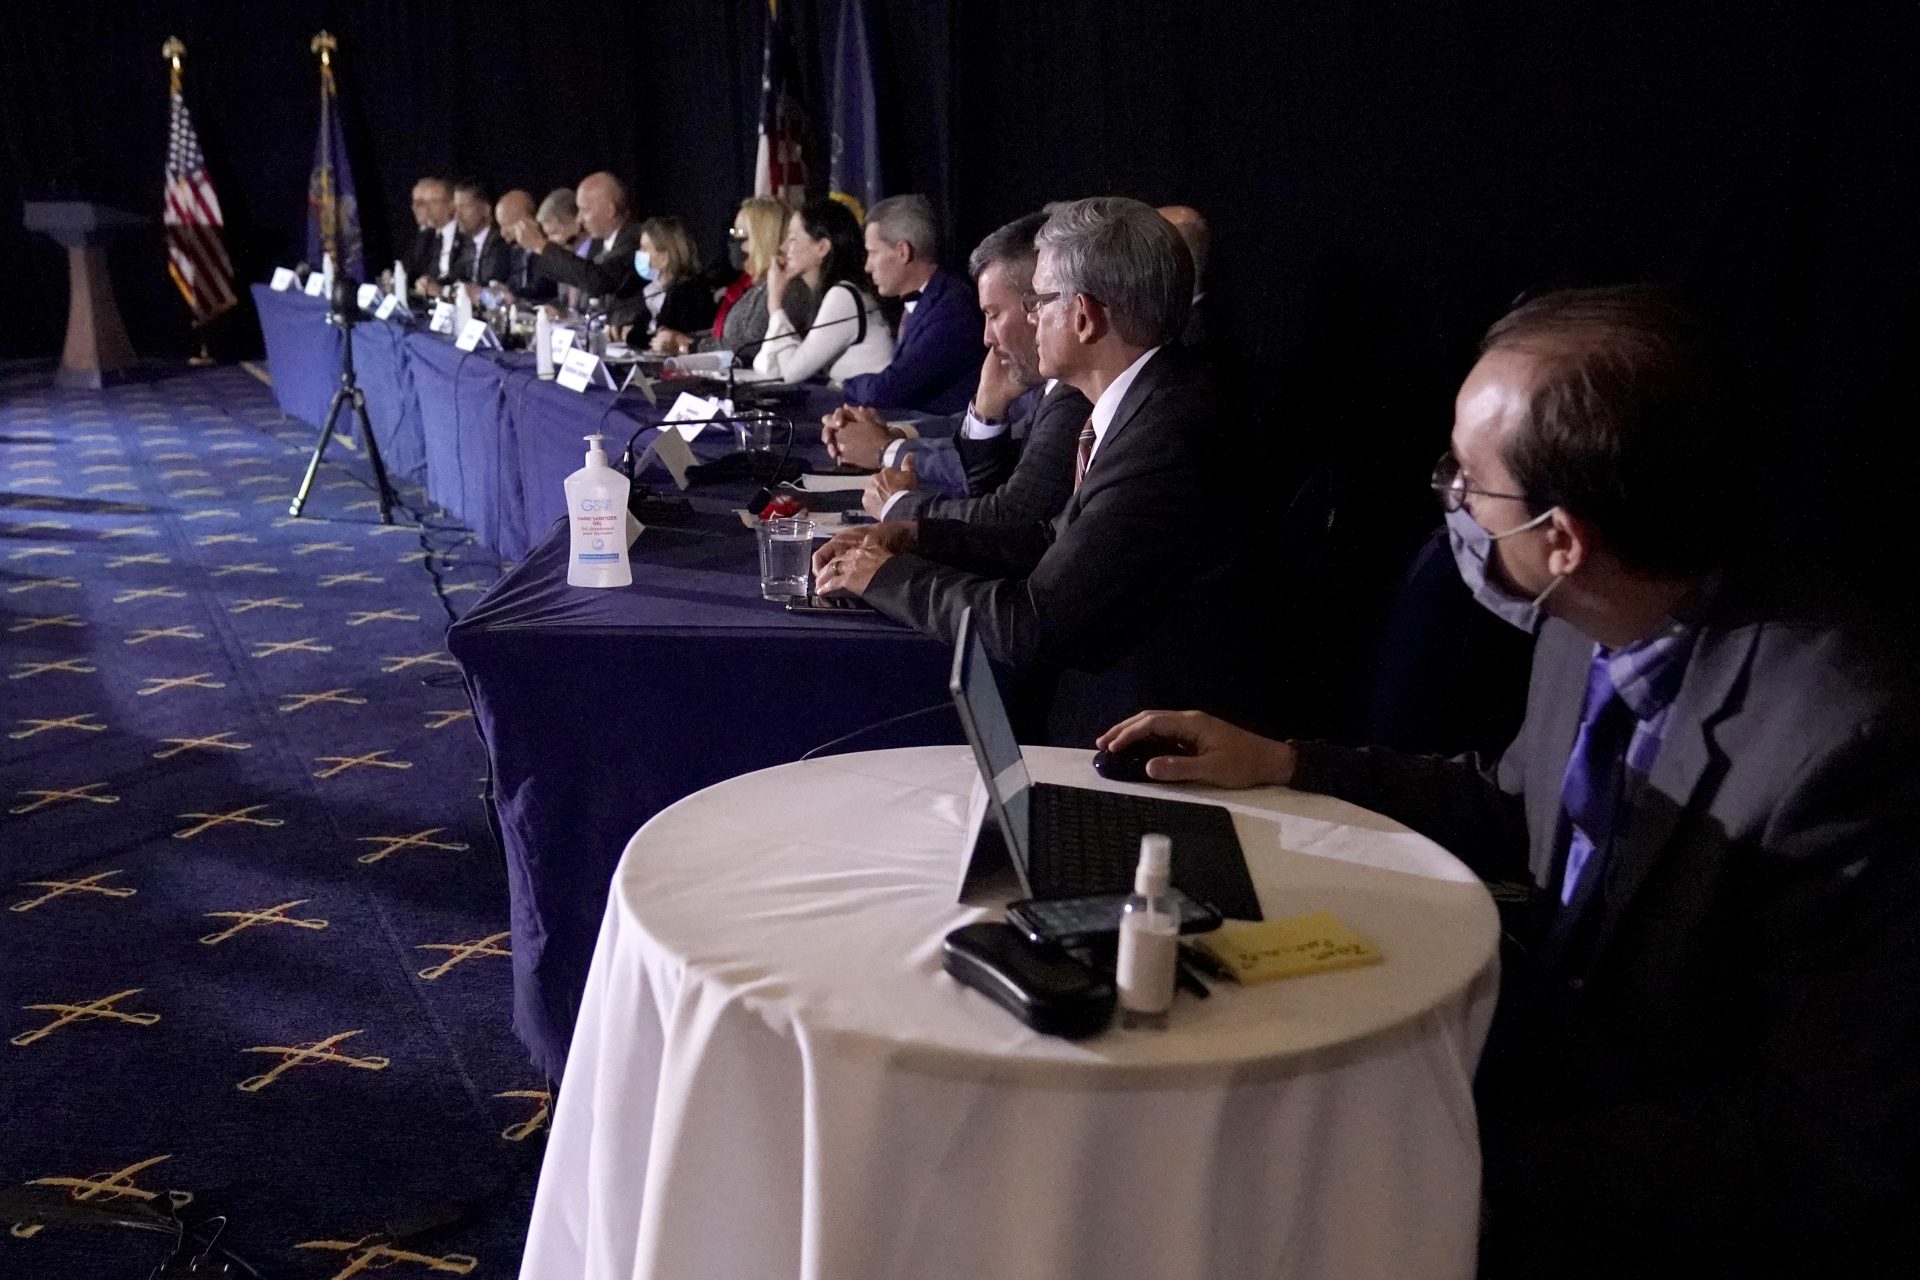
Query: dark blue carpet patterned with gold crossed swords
[(252, 959)]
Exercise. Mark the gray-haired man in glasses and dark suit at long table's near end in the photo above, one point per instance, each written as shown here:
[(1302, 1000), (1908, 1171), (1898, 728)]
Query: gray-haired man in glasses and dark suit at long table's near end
[(1128, 590)]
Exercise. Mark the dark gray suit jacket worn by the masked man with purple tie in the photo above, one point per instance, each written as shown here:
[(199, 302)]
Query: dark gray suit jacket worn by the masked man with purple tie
[(1735, 1056)]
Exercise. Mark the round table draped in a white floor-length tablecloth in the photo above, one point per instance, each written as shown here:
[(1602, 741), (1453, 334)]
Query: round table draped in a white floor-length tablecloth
[(773, 1076)]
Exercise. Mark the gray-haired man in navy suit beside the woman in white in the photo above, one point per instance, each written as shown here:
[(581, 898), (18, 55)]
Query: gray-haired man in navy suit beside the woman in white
[(936, 356)]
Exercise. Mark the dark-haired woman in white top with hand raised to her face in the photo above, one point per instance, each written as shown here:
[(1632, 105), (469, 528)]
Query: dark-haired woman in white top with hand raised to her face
[(848, 337)]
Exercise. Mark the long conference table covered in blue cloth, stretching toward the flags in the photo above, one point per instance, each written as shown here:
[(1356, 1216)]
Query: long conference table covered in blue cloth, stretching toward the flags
[(598, 709)]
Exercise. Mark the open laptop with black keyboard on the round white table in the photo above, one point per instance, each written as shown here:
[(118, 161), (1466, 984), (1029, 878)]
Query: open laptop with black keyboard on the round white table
[(1072, 841)]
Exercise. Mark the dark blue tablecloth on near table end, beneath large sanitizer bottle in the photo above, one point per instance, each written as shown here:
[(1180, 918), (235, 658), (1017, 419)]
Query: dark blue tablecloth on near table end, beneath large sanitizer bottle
[(604, 707)]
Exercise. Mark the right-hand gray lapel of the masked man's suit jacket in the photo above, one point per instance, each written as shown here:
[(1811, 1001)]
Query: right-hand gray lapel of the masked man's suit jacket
[(1683, 769)]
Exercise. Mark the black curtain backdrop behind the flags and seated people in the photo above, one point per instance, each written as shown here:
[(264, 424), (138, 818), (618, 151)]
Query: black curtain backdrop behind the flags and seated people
[(1383, 178)]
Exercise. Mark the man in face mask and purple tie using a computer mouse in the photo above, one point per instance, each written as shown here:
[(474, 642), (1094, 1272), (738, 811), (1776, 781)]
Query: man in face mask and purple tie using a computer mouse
[(1706, 1051)]
